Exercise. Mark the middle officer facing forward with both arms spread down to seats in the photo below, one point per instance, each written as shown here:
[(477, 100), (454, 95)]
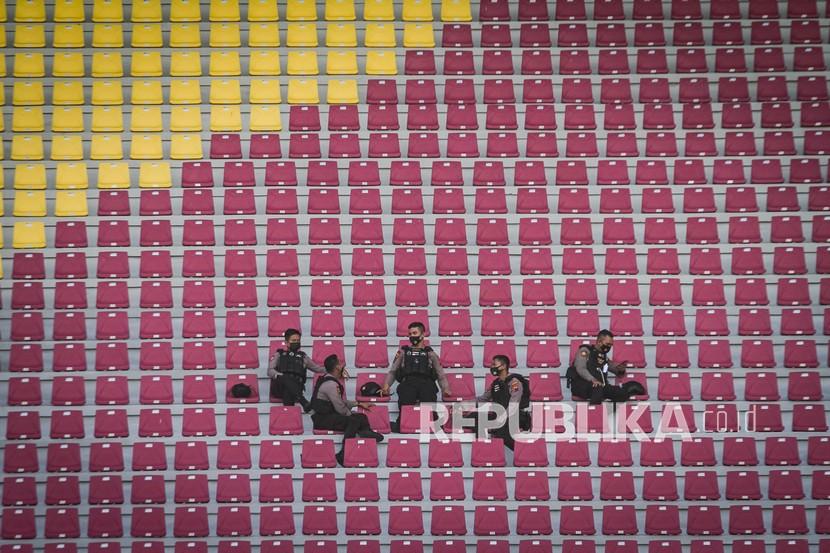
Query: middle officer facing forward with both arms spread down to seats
[(416, 368)]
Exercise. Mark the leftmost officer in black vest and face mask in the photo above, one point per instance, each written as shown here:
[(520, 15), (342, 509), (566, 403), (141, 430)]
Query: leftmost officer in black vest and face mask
[(287, 371)]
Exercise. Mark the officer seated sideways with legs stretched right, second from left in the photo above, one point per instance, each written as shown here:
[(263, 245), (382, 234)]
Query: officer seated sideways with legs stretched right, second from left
[(333, 412)]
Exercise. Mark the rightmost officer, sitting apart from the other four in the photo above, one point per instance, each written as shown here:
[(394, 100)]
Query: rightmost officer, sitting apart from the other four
[(588, 374)]
